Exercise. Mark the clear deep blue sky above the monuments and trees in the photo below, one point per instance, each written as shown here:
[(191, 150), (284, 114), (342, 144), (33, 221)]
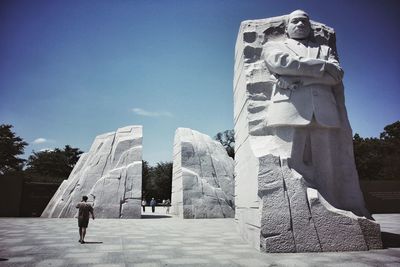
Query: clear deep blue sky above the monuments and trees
[(71, 70)]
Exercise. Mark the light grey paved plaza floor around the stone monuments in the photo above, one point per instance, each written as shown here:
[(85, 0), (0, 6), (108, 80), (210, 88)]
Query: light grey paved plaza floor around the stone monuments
[(160, 240)]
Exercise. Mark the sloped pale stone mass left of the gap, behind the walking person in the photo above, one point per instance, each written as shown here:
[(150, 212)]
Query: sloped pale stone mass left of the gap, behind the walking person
[(110, 174)]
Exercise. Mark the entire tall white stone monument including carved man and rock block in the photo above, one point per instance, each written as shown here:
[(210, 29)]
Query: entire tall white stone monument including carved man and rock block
[(296, 182)]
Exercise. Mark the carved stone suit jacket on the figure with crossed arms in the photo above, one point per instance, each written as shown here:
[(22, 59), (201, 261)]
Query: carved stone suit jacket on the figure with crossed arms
[(296, 107)]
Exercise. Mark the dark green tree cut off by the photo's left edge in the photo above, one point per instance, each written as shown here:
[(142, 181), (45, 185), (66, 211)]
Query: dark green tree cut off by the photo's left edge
[(11, 146)]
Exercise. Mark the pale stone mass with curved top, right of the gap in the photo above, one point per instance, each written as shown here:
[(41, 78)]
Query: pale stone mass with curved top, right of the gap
[(202, 182)]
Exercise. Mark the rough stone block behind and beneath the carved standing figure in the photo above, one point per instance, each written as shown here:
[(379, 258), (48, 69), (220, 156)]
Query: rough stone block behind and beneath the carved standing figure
[(276, 210)]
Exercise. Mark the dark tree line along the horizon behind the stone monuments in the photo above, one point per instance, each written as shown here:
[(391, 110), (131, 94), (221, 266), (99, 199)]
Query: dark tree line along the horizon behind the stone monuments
[(376, 159)]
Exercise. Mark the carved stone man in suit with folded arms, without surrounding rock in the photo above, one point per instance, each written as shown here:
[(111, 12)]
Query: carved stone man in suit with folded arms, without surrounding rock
[(303, 97)]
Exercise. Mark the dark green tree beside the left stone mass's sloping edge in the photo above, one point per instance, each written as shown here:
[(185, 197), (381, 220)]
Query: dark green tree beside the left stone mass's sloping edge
[(52, 165)]
